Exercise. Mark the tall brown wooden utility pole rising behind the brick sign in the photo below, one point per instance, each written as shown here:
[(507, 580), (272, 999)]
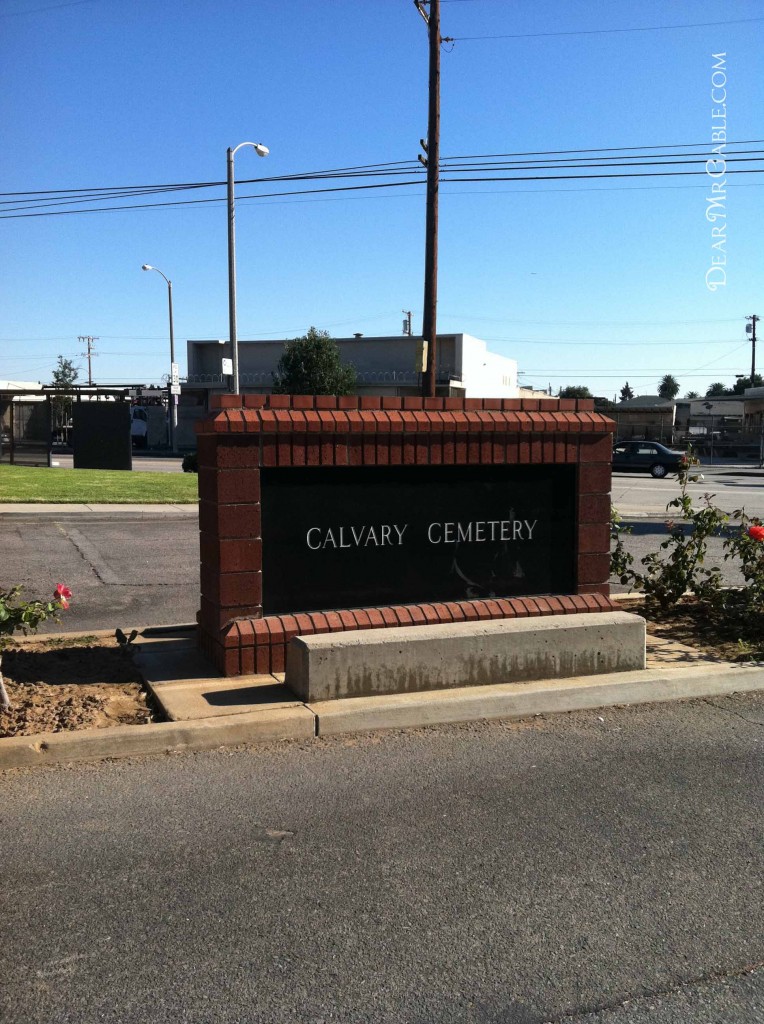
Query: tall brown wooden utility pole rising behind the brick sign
[(433, 150)]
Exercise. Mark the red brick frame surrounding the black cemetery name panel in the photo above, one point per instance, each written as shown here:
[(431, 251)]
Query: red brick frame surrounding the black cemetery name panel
[(245, 433)]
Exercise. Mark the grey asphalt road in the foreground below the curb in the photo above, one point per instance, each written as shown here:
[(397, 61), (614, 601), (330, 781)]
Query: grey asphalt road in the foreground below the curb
[(601, 867)]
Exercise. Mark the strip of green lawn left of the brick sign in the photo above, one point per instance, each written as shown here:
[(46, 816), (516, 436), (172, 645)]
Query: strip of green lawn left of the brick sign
[(21, 484)]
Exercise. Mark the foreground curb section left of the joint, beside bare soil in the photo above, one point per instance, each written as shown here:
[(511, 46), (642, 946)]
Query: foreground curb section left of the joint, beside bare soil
[(161, 738)]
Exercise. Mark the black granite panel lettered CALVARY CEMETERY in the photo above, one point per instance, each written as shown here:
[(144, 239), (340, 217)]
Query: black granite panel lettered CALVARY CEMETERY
[(350, 538)]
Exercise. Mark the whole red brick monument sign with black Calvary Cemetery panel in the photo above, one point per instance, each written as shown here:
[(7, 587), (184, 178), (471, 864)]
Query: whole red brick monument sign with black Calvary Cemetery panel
[(322, 516)]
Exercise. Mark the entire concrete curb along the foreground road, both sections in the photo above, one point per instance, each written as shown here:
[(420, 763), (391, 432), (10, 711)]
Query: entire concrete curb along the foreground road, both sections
[(510, 701)]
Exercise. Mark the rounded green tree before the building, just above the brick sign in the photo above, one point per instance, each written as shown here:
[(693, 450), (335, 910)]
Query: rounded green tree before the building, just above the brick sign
[(312, 365)]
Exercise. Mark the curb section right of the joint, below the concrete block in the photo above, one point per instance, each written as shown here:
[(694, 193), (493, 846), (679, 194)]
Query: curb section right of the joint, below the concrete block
[(514, 701)]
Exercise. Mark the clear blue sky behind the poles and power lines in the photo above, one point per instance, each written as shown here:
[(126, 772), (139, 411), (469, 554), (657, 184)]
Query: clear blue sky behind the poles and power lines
[(583, 283)]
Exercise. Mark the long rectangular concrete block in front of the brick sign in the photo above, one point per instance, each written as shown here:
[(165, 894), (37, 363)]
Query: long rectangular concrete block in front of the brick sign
[(367, 663)]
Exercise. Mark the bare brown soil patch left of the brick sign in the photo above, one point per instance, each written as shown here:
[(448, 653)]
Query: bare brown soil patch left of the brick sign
[(63, 684)]
